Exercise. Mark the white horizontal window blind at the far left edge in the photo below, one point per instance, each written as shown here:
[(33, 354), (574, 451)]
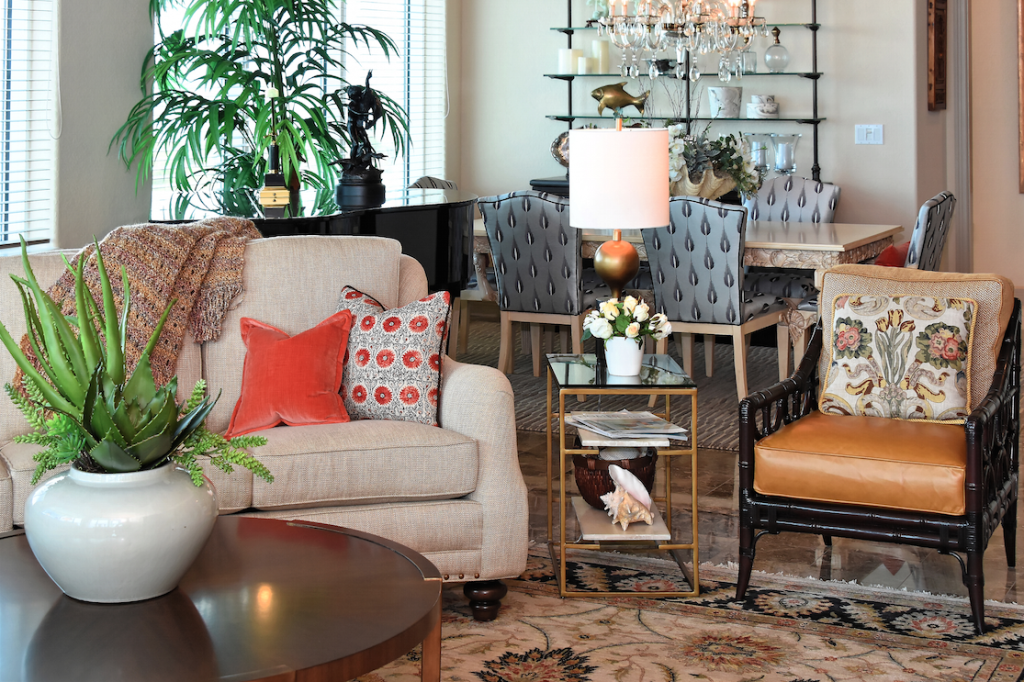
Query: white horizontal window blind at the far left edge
[(27, 146)]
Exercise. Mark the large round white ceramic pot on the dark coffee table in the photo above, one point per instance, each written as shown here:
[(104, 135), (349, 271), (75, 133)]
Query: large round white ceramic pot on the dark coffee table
[(119, 538)]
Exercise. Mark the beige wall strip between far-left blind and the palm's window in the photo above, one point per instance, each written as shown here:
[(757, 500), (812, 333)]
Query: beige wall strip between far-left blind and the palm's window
[(102, 50)]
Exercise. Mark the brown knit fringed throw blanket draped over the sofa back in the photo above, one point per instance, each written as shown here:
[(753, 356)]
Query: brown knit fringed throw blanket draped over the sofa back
[(199, 264)]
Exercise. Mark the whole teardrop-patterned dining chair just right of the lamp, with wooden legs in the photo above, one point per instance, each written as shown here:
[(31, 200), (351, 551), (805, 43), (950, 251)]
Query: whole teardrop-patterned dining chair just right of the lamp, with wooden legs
[(697, 265)]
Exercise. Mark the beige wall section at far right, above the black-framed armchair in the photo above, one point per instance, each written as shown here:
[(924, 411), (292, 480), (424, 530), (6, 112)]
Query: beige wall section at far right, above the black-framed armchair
[(999, 206)]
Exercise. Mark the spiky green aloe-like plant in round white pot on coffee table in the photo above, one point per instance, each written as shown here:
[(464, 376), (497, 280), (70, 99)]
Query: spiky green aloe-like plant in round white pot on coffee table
[(134, 511)]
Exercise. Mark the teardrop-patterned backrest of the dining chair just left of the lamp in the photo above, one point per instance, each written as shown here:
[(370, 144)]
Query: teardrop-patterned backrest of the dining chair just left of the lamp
[(538, 258)]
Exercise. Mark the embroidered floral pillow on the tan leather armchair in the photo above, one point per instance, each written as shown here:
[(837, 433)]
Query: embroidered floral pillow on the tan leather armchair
[(900, 357)]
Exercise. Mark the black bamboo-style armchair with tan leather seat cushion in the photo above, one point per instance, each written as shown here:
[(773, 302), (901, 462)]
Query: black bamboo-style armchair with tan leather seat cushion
[(945, 486)]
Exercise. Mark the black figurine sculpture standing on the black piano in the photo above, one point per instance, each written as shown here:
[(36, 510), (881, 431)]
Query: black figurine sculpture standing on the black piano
[(361, 182)]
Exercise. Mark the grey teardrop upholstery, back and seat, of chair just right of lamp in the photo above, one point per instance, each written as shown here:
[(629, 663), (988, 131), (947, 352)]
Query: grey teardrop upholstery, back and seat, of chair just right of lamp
[(697, 265)]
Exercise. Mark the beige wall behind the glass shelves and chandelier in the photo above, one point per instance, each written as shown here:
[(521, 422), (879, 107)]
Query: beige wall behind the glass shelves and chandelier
[(872, 53)]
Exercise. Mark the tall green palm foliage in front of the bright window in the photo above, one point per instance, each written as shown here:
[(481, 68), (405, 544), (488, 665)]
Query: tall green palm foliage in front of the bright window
[(206, 91)]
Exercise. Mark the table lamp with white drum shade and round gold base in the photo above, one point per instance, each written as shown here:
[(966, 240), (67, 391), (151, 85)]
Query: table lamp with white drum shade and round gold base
[(619, 181)]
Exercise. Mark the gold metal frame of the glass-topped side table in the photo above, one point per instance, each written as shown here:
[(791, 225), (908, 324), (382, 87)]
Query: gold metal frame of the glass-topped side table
[(675, 549)]
